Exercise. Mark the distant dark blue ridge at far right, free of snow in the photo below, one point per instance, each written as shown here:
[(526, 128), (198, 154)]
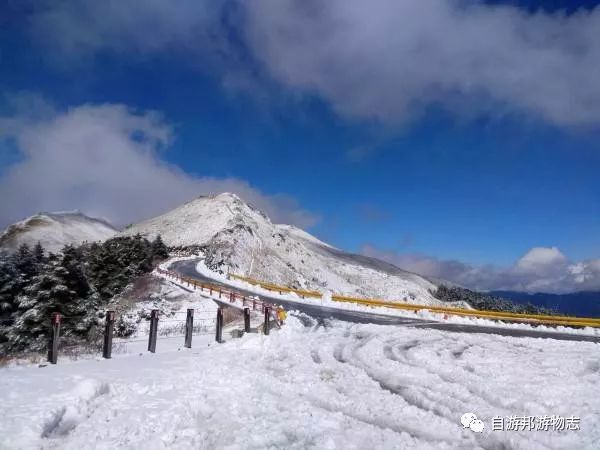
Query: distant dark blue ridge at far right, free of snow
[(584, 304)]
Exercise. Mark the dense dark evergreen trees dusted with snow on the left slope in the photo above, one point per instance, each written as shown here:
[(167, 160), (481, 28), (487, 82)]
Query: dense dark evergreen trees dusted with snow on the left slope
[(76, 283)]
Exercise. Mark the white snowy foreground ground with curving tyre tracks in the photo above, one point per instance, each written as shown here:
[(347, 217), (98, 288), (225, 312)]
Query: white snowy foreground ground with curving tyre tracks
[(309, 386)]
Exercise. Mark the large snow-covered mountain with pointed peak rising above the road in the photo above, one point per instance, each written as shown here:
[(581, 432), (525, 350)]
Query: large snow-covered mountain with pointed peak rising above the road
[(234, 236)]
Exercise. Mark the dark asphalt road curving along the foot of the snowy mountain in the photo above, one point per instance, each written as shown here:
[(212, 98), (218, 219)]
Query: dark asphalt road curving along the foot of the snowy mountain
[(188, 268)]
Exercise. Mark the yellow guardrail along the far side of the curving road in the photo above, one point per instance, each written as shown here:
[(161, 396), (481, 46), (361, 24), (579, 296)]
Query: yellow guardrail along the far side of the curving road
[(494, 315)]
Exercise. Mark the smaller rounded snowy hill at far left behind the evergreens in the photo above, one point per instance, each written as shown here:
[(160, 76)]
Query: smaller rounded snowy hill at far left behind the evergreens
[(54, 230)]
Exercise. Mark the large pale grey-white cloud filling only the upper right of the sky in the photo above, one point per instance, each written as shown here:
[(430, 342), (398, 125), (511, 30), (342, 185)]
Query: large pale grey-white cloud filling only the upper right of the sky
[(390, 60)]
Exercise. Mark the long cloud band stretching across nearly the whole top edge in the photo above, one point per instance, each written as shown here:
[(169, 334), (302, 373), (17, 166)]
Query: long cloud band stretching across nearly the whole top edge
[(387, 60)]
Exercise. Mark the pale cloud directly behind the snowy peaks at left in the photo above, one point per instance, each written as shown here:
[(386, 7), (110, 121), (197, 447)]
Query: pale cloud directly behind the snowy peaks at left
[(106, 161)]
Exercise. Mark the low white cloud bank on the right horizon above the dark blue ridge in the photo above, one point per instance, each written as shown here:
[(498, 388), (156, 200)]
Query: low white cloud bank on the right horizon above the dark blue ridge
[(541, 269)]
